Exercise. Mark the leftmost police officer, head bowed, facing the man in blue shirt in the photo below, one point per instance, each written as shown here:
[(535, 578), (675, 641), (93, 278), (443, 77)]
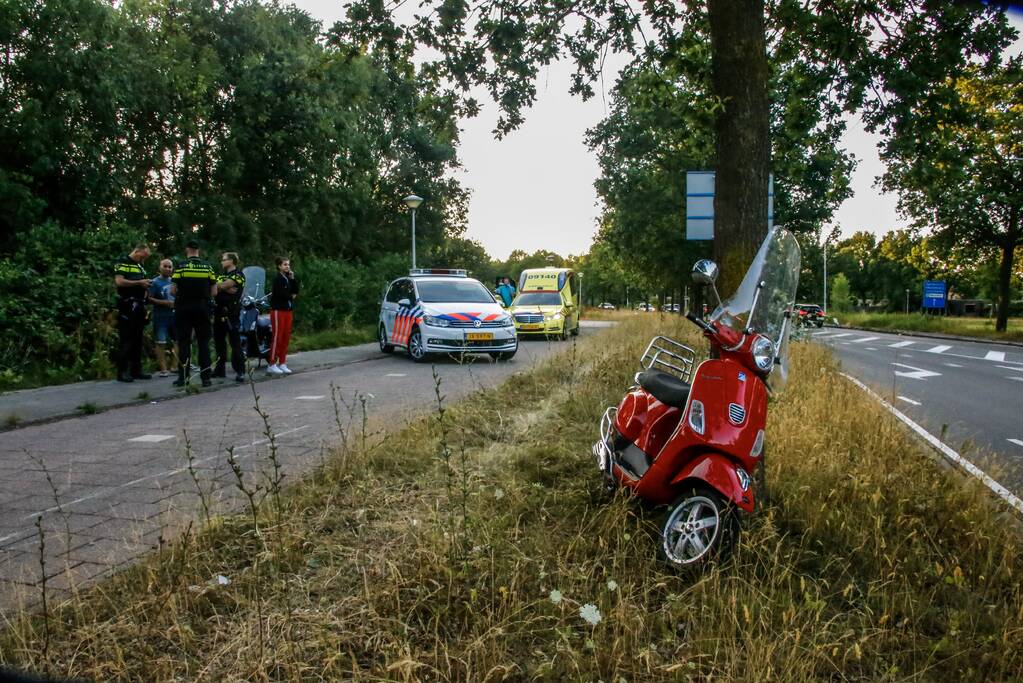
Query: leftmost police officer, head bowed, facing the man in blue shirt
[(134, 288)]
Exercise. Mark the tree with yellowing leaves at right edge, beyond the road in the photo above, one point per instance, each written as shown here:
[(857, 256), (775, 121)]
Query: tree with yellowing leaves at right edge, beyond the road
[(958, 165)]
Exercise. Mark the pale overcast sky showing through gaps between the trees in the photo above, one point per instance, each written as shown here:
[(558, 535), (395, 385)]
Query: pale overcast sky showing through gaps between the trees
[(535, 190)]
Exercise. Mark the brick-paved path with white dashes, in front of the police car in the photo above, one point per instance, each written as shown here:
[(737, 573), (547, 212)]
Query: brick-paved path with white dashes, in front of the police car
[(121, 480)]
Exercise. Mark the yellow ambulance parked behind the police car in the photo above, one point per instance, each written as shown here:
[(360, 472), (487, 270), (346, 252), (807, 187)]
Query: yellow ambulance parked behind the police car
[(548, 303)]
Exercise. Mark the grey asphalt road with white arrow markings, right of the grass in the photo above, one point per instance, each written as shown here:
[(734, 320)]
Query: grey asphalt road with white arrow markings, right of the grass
[(967, 394)]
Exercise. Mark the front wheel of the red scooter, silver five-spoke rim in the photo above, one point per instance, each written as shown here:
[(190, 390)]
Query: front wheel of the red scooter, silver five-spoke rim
[(699, 528)]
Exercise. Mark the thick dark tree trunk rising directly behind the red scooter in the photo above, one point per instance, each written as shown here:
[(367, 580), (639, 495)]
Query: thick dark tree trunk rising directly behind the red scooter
[(740, 73)]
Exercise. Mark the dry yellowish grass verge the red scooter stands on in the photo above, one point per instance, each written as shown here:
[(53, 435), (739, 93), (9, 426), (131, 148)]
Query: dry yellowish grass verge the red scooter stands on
[(471, 545)]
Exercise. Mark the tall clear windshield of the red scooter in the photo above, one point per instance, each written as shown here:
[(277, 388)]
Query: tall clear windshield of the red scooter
[(777, 266)]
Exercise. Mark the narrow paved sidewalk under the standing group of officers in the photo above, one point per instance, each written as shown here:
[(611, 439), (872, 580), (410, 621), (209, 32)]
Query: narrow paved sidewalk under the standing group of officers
[(37, 405)]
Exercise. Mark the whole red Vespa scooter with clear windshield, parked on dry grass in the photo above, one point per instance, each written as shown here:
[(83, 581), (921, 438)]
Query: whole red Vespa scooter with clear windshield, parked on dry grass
[(692, 443)]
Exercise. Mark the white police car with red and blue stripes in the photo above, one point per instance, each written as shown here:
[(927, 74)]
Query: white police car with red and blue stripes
[(444, 311)]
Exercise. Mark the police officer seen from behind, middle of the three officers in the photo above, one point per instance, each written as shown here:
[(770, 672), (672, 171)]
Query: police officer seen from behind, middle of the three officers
[(195, 285)]
